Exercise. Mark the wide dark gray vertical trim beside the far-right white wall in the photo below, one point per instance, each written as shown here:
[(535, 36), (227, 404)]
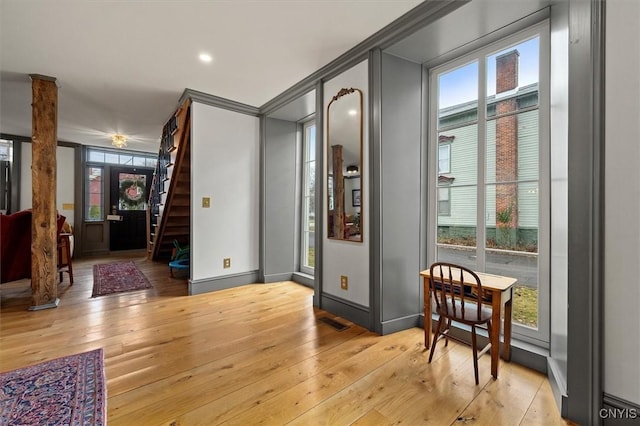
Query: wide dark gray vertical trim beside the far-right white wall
[(586, 208)]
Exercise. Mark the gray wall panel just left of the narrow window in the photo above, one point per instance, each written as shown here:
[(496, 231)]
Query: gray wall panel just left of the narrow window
[(280, 155)]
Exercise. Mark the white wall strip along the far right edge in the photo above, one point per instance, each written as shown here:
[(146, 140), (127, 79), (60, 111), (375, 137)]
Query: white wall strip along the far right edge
[(622, 198)]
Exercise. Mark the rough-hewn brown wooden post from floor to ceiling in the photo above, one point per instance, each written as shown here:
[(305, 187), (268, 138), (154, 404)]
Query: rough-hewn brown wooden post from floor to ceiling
[(44, 287)]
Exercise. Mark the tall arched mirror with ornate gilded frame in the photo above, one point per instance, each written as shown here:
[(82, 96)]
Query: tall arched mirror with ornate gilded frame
[(344, 166)]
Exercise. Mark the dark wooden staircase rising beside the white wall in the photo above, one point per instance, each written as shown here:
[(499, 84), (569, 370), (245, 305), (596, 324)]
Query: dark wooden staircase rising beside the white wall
[(169, 213)]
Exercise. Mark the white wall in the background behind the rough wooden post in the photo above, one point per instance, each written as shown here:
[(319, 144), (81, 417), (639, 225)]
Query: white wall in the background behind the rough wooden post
[(65, 166)]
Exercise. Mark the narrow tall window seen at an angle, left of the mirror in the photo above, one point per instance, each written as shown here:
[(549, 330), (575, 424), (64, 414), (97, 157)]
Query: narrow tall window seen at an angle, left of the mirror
[(307, 261)]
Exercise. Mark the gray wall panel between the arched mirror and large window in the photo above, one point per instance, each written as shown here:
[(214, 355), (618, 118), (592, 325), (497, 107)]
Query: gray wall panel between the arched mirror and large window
[(400, 171)]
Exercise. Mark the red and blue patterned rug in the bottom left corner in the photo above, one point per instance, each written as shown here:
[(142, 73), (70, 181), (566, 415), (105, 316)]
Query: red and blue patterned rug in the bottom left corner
[(65, 391)]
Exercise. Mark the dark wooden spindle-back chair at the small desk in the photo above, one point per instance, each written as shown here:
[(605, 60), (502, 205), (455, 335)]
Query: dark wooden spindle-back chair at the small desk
[(455, 290)]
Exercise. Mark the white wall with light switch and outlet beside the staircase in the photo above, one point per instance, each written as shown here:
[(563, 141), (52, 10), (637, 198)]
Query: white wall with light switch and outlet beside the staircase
[(225, 167)]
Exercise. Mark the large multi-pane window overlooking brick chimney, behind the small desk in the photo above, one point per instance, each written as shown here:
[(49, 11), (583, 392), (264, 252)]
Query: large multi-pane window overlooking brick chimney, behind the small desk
[(491, 185)]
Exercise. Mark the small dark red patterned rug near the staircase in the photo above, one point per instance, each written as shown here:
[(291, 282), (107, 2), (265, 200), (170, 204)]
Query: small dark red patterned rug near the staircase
[(118, 277)]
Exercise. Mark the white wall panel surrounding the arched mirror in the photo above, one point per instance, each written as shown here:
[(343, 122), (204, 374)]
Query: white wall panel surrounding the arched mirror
[(343, 257)]
